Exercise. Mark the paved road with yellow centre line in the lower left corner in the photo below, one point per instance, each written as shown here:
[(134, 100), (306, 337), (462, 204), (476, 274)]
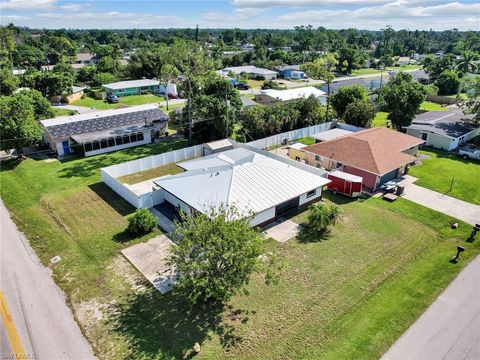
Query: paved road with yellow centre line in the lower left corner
[(39, 314)]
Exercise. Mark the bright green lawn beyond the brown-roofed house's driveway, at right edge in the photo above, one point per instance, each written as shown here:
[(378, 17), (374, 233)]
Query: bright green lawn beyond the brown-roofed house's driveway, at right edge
[(436, 173)]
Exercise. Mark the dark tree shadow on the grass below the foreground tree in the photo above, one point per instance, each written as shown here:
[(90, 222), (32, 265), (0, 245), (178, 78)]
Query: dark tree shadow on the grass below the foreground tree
[(165, 326)]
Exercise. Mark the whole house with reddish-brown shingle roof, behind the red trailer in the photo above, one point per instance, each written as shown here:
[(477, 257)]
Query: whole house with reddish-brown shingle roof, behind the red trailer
[(378, 155)]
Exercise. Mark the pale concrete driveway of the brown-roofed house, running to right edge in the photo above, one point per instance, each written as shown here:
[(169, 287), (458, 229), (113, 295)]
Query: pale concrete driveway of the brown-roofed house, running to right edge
[(470, 213)]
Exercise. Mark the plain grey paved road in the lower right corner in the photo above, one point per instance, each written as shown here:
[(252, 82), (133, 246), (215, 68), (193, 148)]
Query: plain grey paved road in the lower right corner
[(450, 328)]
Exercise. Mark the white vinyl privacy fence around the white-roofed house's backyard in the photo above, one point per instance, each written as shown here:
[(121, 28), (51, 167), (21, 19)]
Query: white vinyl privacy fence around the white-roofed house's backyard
[(153, 197)]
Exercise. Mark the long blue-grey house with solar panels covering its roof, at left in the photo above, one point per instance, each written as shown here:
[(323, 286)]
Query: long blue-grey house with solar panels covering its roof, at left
[(104, 131)]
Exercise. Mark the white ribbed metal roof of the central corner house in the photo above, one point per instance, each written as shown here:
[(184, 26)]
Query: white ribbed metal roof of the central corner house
[(255, 185)]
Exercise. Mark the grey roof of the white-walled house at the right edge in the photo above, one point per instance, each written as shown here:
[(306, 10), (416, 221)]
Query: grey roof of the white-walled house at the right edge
[(453, 124)]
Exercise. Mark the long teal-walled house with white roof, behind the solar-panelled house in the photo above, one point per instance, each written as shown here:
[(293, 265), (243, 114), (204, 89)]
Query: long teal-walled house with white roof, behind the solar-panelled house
[(135, 87)]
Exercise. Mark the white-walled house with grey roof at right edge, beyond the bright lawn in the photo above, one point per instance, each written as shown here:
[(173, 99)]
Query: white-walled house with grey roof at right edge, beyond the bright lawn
[(443, 130)]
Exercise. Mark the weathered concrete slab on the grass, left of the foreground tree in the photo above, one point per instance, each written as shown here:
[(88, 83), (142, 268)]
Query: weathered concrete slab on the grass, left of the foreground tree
[(150, 259)]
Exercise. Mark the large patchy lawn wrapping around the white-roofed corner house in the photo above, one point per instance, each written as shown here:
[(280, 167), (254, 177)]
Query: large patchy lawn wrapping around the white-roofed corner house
[(380, 265)]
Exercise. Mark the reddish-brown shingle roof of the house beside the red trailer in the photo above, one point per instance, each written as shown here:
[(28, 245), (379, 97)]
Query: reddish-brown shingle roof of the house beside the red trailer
[(376, 150)]
